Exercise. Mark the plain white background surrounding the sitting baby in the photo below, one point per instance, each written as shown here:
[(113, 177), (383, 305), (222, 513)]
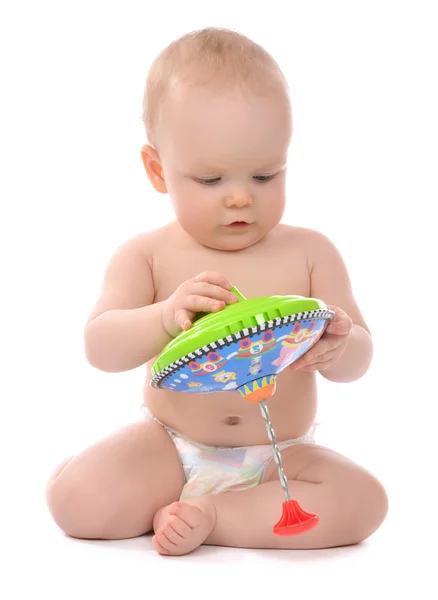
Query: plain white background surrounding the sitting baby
[(362, 169)]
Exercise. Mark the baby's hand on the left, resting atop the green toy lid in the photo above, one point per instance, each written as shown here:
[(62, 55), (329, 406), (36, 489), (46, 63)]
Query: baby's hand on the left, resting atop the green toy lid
[(207, 292)]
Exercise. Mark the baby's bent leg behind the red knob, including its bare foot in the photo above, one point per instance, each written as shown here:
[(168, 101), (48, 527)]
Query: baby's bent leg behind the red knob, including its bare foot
[(349, 501)]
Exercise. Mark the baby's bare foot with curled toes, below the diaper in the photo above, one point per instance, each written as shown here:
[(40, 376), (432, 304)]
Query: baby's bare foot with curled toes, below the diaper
[(181, 527)]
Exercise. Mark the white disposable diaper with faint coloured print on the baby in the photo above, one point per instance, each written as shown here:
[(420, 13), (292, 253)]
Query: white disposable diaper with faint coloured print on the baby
[(216, 469)]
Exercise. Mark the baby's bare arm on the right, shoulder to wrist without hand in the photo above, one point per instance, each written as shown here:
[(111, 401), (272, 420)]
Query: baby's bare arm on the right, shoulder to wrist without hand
[(329, 281)]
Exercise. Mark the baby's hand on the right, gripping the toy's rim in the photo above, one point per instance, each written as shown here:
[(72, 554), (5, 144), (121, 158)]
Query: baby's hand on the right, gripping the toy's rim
[(330, 347)]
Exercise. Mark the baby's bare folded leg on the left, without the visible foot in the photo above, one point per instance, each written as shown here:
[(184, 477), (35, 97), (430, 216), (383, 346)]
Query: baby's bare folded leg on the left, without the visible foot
[(113, 488)]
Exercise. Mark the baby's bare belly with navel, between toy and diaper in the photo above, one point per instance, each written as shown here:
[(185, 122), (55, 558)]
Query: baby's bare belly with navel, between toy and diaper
[(226, 419)]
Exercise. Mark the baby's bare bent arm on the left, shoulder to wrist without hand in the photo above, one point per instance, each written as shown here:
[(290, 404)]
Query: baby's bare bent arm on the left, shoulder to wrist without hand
[(125, 328)]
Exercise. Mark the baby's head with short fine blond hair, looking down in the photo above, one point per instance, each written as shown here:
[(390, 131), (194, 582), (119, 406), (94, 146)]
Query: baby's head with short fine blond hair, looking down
[(218, 120)]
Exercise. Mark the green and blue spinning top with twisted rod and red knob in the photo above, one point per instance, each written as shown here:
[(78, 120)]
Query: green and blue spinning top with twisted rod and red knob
[(243, 348)]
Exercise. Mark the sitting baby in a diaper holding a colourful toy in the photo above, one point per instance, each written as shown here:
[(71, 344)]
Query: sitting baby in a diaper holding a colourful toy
[(198, 469)]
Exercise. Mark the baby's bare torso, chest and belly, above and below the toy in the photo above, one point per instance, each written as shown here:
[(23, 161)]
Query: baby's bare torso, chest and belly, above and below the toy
[(199, 416)]
